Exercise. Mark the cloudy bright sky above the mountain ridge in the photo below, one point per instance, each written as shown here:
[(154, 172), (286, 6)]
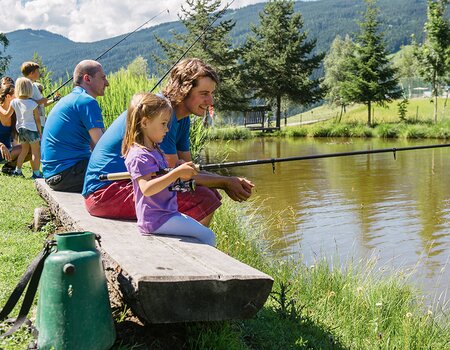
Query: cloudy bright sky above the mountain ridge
[(91, 20)]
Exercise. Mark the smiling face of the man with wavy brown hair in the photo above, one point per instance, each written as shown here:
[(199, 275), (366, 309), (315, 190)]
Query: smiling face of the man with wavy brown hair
[(201, 96)]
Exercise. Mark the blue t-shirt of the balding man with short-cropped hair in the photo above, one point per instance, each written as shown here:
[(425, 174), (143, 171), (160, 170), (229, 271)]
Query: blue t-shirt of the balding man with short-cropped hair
[(66, 139)]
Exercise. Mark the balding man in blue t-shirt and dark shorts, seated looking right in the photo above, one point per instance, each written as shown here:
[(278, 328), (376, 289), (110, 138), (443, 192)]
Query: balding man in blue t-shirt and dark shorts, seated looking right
[(73, 128)]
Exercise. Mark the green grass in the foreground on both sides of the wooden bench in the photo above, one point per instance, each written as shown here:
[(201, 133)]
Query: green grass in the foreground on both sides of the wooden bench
[(324, 306)]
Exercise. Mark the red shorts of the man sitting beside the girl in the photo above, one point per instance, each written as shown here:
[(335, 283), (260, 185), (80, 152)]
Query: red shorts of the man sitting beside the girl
[(116, 201)]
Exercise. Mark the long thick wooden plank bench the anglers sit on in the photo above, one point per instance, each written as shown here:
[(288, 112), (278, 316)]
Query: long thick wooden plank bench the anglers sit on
[(165, 279)]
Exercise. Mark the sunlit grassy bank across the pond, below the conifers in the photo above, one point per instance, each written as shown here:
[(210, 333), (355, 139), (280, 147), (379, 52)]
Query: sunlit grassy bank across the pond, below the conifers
[(324, 121)]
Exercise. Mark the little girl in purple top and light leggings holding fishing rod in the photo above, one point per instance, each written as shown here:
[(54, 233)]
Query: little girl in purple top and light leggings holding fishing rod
[(156, 207)]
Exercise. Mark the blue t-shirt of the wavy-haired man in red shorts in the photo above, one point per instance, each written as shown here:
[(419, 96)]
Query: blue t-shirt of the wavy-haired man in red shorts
[(107, 158)]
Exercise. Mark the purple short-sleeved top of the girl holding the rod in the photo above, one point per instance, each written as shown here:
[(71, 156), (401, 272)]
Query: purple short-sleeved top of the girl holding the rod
[(151, 211)]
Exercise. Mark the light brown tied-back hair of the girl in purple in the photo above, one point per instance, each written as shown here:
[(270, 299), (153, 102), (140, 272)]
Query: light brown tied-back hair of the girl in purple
[(143, 105)]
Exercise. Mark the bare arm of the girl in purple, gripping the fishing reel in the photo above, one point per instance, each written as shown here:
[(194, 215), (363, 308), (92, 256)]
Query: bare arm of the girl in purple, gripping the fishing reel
[(150, 185)]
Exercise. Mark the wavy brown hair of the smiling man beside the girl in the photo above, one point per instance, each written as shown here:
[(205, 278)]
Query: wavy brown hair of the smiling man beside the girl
[(184, 77)]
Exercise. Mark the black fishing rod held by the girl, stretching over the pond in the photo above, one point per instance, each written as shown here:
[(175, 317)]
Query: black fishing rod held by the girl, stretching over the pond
[(125, 175)]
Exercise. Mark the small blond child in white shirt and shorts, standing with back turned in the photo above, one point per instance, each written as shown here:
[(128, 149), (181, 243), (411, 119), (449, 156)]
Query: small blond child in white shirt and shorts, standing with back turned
[(28, 126)]
